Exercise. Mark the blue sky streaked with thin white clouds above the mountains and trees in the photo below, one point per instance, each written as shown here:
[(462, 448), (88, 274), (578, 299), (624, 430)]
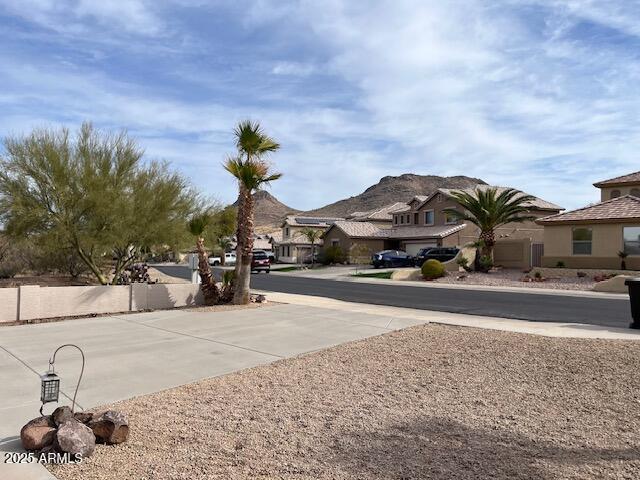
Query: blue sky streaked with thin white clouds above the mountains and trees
[(541, 95)]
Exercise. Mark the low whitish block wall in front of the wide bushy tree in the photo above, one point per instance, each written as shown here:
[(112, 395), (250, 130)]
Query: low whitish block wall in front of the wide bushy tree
[(32, 302)]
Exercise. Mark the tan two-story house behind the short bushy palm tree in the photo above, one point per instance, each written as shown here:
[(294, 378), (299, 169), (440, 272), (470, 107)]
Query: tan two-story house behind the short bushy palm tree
[(422, 223)]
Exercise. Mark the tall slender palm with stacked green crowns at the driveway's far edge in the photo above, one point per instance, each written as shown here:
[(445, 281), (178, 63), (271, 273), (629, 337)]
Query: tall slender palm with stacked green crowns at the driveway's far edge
[(252, 172)]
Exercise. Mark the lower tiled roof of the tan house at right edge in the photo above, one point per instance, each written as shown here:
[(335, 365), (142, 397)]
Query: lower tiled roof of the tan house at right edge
[(622, 208)]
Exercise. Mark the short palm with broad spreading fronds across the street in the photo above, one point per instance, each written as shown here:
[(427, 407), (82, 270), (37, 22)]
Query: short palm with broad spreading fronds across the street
[(488, 210)]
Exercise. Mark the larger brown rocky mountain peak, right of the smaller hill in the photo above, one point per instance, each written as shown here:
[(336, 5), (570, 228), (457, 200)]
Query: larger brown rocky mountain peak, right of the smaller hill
[(394, 189)]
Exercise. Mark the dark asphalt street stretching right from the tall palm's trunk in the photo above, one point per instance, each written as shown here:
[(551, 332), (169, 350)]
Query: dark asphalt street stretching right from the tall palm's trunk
[(535, 307)]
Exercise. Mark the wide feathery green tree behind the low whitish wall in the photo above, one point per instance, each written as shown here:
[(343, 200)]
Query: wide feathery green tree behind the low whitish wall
[(94, 193)]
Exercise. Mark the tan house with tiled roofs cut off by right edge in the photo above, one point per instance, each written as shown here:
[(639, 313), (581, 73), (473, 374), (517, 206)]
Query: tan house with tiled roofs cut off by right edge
[(594, 236)]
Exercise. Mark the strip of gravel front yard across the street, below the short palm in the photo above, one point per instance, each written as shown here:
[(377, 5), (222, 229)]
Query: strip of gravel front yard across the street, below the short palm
[(513, 278)]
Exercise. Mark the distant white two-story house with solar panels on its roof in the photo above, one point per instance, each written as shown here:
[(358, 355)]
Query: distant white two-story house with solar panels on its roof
[(293, 246)]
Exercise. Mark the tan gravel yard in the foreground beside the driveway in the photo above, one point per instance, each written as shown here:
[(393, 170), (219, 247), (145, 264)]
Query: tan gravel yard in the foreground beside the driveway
[(429, 402)]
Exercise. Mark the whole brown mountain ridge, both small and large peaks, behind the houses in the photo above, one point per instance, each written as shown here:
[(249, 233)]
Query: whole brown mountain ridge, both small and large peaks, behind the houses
[(269, 211)]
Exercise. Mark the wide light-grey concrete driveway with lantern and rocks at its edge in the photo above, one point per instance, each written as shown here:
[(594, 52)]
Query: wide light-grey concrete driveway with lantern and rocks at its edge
[(136, 354)]
